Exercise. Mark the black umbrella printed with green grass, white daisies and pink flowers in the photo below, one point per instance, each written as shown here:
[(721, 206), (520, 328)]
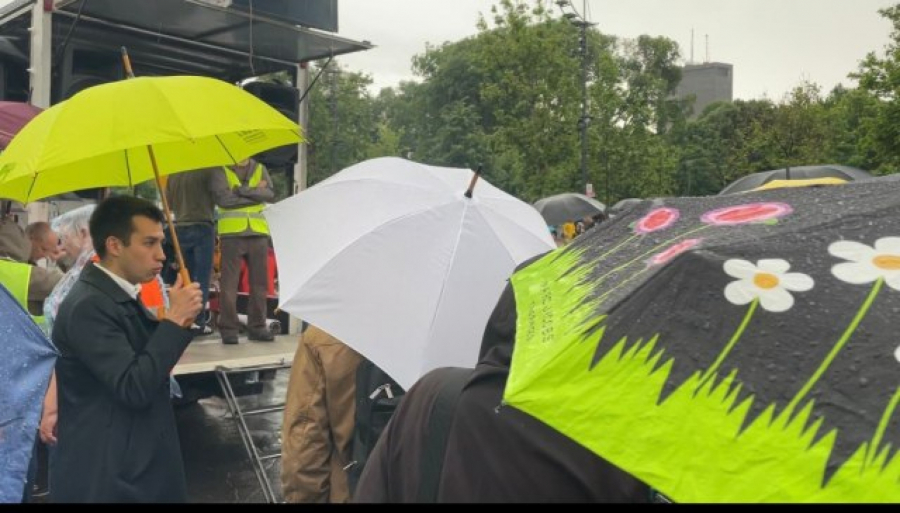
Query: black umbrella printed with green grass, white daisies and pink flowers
[(738, 348)]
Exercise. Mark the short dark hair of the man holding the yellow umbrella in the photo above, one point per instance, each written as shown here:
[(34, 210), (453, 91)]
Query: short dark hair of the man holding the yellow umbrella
[(113, 217)]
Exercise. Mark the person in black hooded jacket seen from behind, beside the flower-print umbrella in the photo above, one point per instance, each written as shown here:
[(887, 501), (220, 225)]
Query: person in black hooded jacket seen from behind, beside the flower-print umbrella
[(494, 453)]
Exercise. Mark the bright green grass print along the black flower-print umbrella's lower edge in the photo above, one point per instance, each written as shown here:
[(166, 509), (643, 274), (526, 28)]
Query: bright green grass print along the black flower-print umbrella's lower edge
[(718, 456)]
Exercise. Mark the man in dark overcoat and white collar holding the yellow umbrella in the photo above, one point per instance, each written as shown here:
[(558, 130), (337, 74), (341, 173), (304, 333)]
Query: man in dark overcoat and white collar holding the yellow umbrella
[(118, 440)]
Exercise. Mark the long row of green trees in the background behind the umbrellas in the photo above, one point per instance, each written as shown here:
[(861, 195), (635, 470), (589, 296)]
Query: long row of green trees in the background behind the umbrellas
[(510, 98)]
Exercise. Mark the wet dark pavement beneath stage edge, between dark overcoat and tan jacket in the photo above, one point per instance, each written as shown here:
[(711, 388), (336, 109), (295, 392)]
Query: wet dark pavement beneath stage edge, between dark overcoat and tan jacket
[(216, 462)]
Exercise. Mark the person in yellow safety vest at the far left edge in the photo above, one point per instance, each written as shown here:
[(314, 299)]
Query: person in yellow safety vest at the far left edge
[(29, 284)]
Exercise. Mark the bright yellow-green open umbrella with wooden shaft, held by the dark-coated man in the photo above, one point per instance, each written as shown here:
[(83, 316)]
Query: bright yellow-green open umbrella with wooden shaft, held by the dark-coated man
[(127, 132)]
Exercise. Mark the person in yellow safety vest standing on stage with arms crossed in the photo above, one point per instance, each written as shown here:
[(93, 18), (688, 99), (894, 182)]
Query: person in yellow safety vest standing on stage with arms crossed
[(241, 192)]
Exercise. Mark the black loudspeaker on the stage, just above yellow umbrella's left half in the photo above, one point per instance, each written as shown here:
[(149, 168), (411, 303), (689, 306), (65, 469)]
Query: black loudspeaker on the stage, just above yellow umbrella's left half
[(86, 67)]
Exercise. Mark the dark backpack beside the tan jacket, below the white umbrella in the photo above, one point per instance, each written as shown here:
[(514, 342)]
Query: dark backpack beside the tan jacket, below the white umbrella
[(377, 396)]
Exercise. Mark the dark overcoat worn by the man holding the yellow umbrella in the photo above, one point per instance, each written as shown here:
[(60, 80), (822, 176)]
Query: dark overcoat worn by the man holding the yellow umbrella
[(118, 441)]
